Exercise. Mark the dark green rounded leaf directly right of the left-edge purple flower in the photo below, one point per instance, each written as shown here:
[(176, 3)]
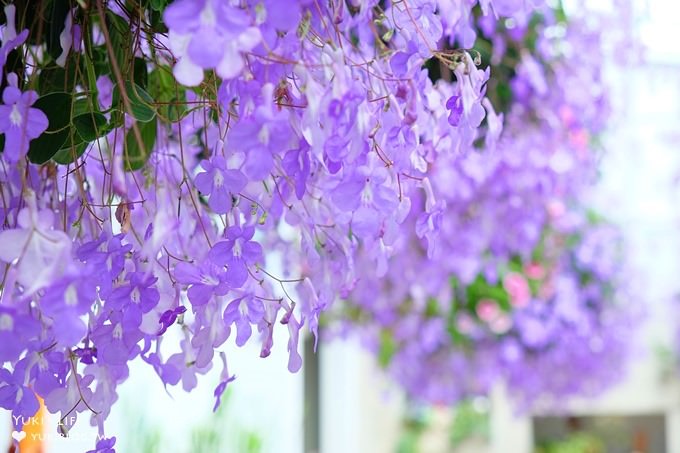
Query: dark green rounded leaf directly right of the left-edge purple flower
[(57, 108)]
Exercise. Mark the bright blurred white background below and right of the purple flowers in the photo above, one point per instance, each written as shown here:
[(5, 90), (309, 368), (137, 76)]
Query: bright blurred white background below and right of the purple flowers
[(341, 401)]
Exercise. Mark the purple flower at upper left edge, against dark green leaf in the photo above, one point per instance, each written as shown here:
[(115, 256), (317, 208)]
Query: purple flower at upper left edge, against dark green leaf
[(18, 121)]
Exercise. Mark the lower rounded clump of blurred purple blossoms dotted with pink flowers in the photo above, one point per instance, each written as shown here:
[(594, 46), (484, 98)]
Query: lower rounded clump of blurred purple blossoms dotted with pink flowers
[(548, 328)]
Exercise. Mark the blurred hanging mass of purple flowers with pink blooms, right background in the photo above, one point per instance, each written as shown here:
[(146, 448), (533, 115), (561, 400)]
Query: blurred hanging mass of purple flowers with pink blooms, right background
[(502, 277)]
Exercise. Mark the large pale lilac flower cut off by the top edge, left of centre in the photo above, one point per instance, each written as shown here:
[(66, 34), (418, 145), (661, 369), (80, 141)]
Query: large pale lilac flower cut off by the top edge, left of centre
[(208, 34)]
